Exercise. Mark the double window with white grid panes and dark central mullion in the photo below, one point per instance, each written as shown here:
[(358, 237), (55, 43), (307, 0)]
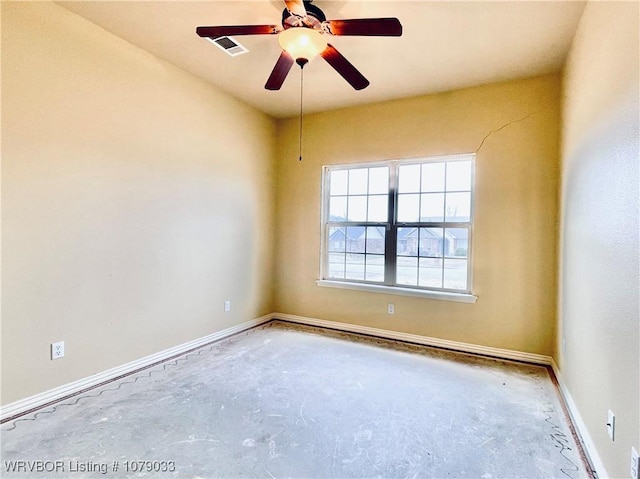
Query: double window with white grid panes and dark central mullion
[(399, 224)]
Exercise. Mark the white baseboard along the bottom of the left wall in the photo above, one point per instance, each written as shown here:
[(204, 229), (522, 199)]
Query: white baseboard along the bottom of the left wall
[(53, 395)]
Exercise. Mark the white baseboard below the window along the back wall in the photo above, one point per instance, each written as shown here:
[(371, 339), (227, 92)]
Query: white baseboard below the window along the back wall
[(416, 339)]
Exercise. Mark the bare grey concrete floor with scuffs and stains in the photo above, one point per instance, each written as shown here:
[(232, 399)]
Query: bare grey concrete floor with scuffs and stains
[(288, 401)]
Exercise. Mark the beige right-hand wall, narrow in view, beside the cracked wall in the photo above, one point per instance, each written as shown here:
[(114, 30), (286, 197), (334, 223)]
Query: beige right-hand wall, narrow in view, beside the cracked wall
[(599, 265)]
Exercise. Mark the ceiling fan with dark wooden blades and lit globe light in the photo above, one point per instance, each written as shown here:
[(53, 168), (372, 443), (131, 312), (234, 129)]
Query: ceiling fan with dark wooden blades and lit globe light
[(302, 36)]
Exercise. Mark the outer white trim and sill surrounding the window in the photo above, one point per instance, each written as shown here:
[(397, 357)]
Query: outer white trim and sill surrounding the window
[(462, 297)]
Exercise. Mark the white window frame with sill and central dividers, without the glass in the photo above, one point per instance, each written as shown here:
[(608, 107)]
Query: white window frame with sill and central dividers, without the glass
[(392, 225)]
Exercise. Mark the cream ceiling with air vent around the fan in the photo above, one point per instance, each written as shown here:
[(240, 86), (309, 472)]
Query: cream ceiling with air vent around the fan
[(446, 45)]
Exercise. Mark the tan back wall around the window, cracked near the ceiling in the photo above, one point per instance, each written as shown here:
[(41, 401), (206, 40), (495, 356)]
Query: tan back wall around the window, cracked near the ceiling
[(515, 232)]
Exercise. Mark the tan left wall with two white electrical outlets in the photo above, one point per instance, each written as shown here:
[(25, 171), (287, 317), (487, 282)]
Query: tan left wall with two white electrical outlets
[(135, 200)]
